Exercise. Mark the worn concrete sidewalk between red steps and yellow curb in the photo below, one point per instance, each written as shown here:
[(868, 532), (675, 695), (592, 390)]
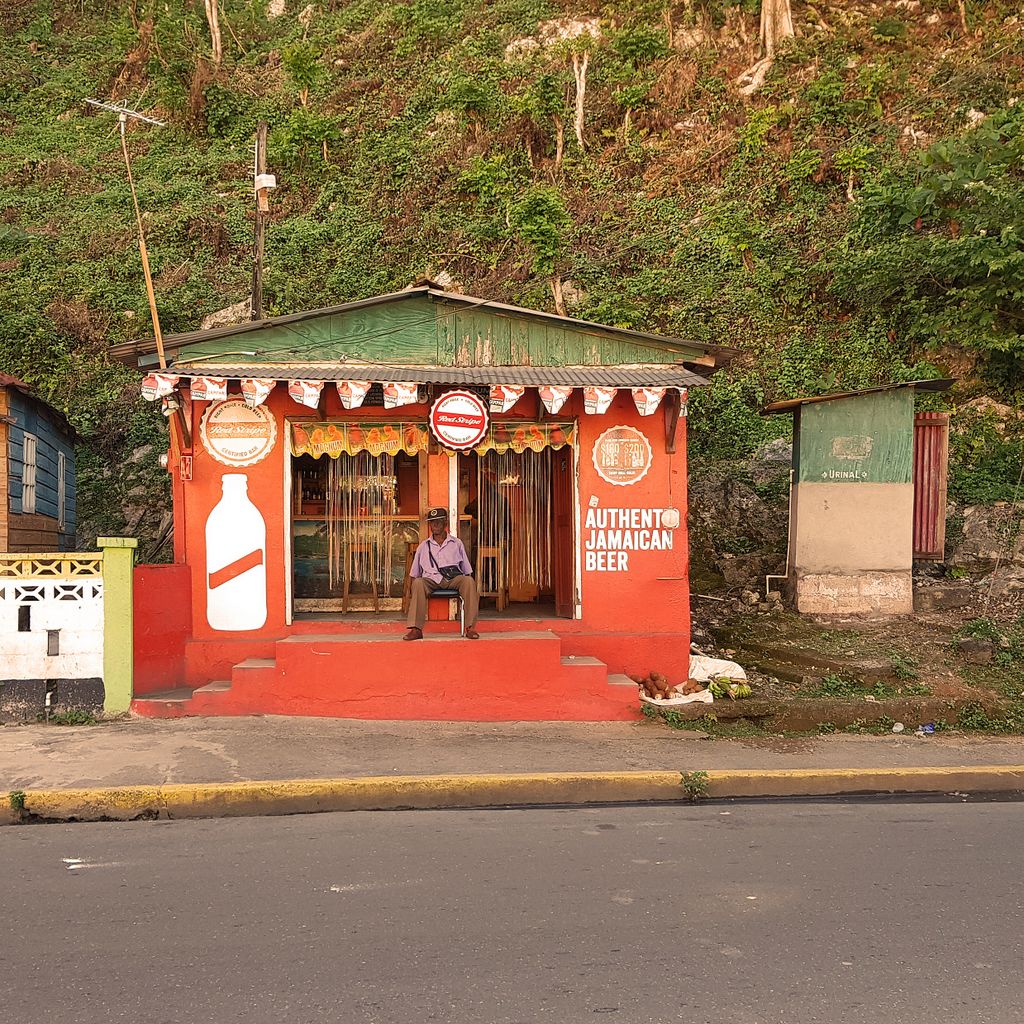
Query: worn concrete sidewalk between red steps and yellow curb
[(146, 752)]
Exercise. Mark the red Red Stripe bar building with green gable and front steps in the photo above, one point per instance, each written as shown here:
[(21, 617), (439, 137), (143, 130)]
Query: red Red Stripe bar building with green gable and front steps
[(306, 451)]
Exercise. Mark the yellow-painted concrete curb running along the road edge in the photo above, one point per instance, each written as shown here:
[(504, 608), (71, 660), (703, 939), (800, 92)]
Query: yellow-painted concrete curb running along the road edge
[(423, 792)]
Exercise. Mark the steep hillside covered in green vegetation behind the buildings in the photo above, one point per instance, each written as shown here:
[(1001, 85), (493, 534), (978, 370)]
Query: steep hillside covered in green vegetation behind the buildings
[(858, 221)]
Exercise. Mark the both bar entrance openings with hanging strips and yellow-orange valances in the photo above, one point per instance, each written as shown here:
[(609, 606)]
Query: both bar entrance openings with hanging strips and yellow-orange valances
[(358, 519)]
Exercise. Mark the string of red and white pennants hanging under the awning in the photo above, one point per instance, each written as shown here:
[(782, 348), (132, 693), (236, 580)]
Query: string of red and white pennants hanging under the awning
[(353, 394)]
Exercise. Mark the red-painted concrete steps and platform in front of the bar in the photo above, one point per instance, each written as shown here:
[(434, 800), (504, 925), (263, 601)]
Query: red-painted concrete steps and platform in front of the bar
[(508, 676)]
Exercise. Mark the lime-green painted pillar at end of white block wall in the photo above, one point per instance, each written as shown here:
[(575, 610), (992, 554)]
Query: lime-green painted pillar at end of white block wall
[(119, 557)]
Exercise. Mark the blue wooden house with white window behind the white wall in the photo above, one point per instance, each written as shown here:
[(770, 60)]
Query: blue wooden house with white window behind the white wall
[(37, 473)]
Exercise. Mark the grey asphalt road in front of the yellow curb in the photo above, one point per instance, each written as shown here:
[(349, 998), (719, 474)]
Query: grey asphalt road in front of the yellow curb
[(747, 913)]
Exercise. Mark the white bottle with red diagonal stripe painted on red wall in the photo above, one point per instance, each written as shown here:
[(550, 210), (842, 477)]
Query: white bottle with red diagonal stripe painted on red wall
[(236, 561)]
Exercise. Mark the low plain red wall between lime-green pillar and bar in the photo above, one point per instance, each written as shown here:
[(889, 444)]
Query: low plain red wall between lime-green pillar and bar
[(162, 625)]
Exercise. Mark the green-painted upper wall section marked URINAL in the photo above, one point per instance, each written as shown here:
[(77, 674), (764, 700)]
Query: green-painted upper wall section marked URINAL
[(854, 441)]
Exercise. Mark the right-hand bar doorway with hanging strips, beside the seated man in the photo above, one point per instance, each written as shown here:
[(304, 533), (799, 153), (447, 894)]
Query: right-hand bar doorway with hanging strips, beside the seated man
[(518, 524)]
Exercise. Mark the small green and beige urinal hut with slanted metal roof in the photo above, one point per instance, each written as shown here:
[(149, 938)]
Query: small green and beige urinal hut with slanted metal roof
[(869, 485)]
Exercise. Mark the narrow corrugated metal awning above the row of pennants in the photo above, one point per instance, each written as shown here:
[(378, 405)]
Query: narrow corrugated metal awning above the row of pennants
[(647, 376)]
